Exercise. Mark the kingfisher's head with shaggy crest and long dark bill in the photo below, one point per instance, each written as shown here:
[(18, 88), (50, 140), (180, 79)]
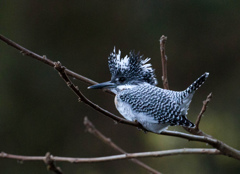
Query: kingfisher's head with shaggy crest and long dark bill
[(127, 72)]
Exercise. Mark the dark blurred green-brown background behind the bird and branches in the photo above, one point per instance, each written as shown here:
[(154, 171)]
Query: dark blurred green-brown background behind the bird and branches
[(38, 113)]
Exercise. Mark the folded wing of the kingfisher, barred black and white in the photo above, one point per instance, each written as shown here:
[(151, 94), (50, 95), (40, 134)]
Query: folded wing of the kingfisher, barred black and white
[(151, 103)]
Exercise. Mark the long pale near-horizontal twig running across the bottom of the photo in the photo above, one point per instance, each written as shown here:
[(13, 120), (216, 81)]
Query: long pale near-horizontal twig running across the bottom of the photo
[(163, 153)]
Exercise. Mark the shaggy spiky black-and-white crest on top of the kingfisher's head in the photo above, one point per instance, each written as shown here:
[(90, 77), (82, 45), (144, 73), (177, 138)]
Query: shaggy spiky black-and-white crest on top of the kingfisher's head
[(133, 67)]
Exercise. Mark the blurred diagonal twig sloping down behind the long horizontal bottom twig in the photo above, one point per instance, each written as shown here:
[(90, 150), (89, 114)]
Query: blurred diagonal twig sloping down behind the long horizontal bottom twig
[(93, 130)]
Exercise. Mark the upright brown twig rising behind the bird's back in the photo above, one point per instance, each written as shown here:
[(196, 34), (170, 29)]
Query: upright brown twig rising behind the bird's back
[(163, 41)]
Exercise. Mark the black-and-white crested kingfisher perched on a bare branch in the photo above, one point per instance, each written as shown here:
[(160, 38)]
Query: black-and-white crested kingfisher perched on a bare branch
[(138, 99)]
